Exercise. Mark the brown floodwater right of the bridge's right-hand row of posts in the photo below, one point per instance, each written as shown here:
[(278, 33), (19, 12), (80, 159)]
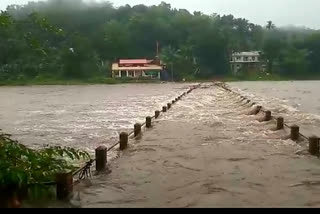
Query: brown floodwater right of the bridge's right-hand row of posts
[(297, 101)]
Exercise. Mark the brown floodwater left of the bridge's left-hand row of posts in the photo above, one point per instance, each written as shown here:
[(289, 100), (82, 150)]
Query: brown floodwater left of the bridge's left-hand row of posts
[(79, 116)]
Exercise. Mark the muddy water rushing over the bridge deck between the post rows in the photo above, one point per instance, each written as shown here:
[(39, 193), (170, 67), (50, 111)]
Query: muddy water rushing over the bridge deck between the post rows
[(207, 152)]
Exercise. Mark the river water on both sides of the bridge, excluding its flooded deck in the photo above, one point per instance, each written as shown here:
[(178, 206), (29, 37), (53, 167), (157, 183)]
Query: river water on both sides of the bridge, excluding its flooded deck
[(87, 116)]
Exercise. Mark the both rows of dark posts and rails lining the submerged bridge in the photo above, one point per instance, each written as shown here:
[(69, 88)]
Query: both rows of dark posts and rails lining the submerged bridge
[(65, 181)]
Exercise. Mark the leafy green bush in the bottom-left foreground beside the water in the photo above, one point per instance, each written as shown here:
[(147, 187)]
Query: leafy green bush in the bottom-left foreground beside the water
[(26, 169)]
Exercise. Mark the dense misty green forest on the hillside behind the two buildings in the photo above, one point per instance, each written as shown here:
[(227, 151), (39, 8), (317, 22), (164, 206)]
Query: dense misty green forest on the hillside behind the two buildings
[(74, 40)]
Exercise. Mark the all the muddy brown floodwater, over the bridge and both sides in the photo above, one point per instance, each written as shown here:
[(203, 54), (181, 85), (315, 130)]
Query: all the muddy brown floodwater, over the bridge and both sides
[(205, 152)]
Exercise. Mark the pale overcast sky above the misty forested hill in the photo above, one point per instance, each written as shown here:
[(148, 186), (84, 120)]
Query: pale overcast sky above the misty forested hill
[(281, 12)]
